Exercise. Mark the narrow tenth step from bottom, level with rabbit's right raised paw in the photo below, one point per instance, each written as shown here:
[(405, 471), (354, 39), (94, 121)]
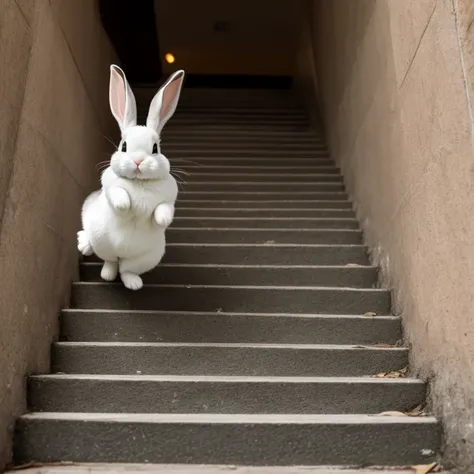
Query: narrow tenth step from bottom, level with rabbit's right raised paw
[(262, 213)]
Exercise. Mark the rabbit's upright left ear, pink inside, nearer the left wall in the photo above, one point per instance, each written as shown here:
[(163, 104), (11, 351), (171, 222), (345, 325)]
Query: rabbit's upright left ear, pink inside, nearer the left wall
[(121, 98)]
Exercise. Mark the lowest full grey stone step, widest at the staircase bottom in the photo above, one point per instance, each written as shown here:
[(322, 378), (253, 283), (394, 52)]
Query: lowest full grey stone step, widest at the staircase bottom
[(224, 439)]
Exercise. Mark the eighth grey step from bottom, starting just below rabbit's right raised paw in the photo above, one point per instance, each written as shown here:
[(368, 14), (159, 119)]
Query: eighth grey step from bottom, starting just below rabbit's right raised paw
[(252, 235)]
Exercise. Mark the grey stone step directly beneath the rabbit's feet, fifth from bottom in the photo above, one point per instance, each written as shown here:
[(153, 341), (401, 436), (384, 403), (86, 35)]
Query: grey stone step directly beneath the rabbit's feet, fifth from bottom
[(263, 299)]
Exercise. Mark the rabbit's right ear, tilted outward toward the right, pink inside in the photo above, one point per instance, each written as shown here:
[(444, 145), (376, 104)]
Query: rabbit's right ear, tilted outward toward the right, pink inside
[(164, 103)]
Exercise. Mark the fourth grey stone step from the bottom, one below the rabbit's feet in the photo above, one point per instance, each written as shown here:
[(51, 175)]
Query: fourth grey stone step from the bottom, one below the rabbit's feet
[(175, 326)]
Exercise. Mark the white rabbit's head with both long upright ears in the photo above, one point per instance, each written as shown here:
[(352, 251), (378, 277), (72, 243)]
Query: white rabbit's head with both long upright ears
[(138, 155)]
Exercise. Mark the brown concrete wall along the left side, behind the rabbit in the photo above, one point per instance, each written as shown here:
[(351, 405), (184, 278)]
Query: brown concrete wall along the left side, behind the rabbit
[(54, 71)]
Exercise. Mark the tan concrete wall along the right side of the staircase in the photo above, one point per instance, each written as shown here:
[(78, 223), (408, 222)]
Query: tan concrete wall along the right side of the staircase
[(396, 80)]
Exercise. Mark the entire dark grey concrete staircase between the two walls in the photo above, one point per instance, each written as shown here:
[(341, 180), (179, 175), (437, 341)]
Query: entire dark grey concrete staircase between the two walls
[(256, 342)]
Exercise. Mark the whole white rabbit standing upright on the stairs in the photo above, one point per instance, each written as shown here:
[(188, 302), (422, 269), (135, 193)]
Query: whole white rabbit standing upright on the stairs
[(124, 223)]
